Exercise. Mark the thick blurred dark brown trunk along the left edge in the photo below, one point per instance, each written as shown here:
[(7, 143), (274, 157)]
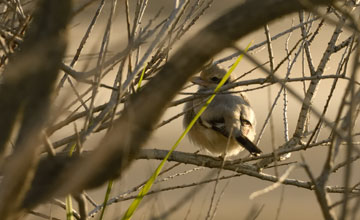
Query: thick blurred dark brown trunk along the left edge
[(25, 94)]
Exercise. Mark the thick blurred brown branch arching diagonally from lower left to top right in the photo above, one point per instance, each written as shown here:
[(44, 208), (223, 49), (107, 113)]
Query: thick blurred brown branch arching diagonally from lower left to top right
[(120, 146)]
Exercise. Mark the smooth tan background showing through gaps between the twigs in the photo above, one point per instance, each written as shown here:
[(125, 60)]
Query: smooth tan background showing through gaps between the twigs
[(235, 203)]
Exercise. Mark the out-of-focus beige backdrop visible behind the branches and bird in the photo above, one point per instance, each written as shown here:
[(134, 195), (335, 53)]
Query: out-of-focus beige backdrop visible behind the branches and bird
[(232, 195)]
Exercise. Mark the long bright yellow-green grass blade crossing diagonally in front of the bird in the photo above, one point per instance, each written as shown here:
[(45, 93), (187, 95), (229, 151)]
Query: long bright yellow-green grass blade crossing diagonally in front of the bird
[(130, 211)]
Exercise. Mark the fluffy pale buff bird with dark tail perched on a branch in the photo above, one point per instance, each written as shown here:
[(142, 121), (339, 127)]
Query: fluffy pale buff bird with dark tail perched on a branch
[(227, 126)]
